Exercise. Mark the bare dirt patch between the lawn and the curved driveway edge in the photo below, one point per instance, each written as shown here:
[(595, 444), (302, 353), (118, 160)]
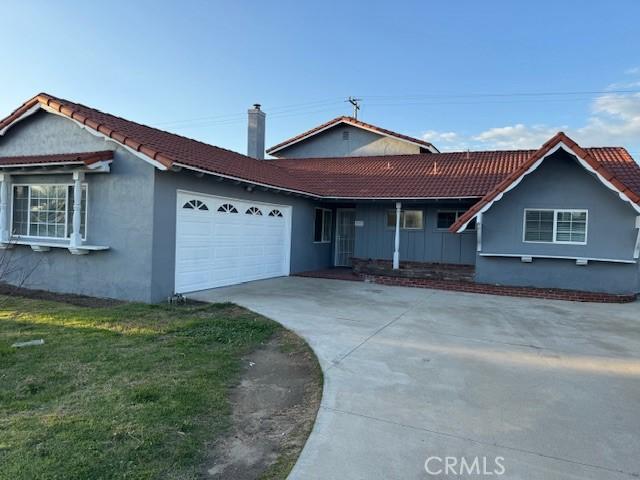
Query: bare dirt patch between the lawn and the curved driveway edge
[(274, 407)]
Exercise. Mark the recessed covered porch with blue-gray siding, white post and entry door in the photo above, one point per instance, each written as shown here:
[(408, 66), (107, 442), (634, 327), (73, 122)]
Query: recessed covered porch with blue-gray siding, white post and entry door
[(405, 238)]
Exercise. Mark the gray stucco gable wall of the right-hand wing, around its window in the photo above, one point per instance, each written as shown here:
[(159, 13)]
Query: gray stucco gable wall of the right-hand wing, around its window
[(560, 182)]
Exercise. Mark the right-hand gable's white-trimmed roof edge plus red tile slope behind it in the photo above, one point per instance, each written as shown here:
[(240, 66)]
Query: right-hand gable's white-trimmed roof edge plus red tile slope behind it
[(614, 167)]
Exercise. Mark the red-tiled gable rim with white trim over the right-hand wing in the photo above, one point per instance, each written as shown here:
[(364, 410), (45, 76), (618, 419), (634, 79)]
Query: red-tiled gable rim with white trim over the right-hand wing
[(558, 141)]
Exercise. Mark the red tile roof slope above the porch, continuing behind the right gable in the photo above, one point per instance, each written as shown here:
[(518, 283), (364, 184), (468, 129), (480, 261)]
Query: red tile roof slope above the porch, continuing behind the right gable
[(439, 175)]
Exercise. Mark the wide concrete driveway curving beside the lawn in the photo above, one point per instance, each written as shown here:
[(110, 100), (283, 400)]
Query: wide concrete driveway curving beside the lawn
[(552, 387)]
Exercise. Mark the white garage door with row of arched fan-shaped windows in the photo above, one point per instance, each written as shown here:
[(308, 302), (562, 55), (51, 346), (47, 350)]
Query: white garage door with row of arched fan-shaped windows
[(223, 241)]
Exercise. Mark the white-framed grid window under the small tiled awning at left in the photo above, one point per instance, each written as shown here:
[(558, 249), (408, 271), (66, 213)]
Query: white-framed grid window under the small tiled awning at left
[(46, 211)]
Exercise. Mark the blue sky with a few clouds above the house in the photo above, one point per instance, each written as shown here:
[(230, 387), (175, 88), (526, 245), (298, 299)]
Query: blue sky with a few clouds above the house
[(451, 72)]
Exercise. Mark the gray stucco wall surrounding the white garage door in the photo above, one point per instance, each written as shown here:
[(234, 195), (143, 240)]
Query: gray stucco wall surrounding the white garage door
[(305, 254)]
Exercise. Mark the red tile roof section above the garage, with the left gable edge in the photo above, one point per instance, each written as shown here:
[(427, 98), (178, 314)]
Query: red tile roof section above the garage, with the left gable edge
[(168, 149)]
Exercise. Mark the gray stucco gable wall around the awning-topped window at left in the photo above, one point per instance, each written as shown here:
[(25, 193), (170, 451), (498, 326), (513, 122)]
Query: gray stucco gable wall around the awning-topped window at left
[(119, 215)]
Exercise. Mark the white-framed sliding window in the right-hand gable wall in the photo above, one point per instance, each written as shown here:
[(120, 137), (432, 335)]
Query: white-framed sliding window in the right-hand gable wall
[(555, 226)]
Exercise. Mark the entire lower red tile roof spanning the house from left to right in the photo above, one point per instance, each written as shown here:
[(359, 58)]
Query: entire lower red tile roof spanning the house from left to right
[(432, 175)]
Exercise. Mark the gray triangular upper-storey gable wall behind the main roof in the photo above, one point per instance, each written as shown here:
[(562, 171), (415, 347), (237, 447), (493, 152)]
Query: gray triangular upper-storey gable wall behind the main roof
[(330, 143)]
